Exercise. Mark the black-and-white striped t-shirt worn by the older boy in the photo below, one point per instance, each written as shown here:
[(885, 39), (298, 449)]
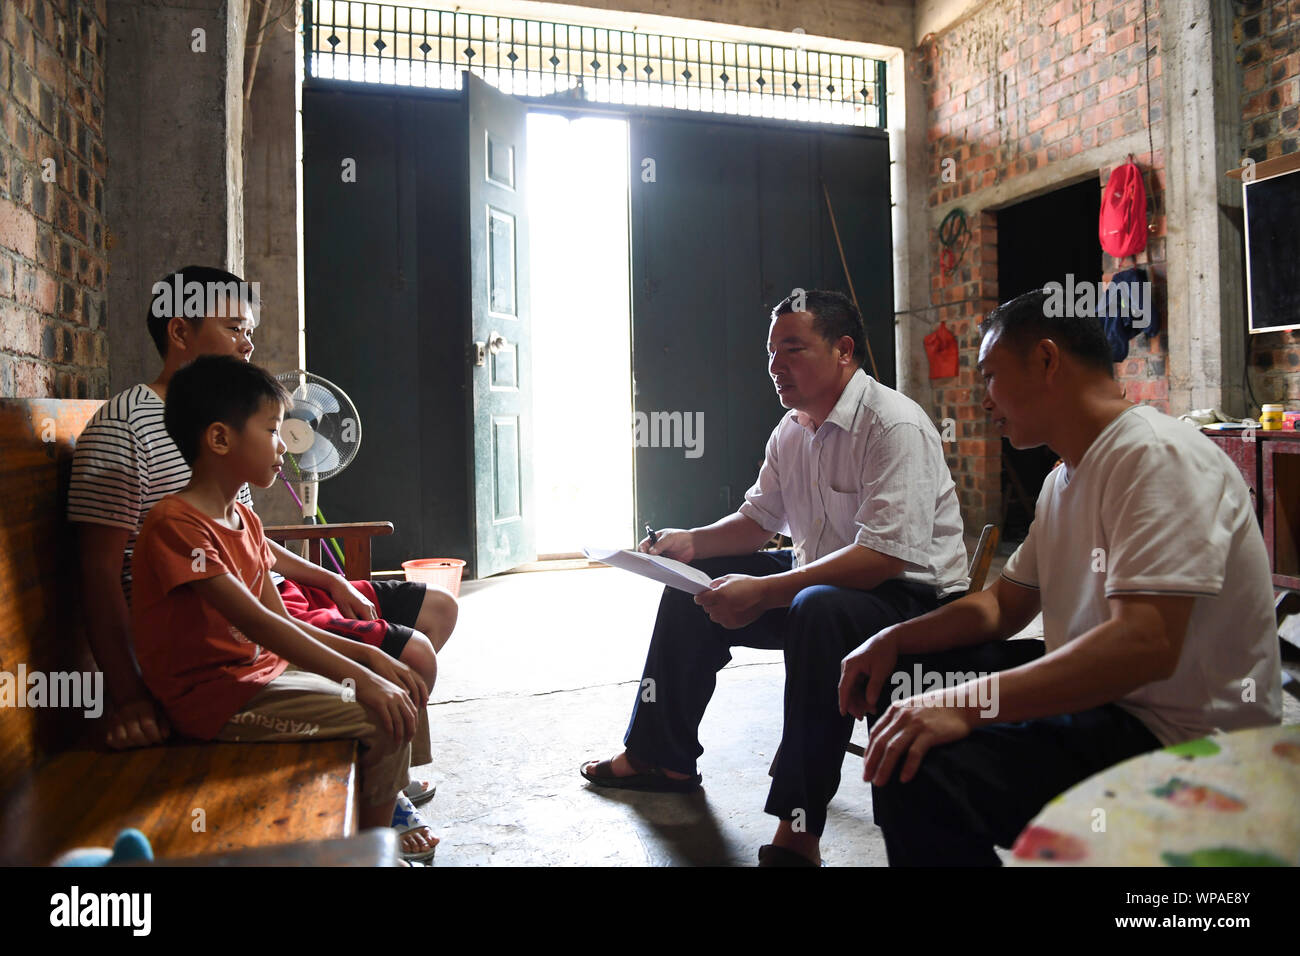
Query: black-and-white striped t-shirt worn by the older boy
[(124, 464)]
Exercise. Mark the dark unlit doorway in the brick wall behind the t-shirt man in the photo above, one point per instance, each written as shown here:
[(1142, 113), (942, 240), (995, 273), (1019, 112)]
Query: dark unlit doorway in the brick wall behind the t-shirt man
[(1051, 239)]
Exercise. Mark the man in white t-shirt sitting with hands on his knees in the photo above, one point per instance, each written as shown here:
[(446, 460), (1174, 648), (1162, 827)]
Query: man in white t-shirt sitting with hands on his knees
[(1147, 563)]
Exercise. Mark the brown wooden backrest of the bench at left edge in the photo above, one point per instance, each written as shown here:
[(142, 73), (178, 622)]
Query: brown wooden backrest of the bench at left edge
[(40, 616)]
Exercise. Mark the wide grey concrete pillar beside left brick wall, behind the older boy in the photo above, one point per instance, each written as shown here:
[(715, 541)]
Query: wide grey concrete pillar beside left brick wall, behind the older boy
[(174, 131)]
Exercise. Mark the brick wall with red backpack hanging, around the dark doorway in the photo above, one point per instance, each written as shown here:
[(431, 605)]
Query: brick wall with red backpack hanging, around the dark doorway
[(1015, 90)]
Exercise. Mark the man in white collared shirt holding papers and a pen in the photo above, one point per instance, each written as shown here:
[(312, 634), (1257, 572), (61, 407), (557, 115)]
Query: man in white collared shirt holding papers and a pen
[(856, 475)]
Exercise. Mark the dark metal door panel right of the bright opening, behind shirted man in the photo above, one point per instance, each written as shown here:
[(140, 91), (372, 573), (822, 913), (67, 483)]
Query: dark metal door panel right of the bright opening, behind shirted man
[(727, 220)]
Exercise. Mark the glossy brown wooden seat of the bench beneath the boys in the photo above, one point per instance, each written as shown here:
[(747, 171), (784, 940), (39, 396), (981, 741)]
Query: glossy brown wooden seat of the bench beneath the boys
[(249, 795)]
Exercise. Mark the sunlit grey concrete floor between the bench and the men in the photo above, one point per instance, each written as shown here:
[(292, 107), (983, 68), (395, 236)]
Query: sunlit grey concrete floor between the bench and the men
[(540, 677)]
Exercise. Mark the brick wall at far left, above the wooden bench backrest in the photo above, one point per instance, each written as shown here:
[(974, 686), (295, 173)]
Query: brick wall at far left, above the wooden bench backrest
[(53, 165)]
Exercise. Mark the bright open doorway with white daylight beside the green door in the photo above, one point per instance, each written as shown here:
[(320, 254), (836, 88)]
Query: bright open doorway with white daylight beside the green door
[(578, 213)]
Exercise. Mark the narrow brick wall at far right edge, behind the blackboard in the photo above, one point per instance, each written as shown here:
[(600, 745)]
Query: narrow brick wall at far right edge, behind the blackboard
[(1268, 34)]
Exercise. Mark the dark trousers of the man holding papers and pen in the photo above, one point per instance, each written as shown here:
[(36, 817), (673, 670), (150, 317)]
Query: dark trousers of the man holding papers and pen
[(821, 626)]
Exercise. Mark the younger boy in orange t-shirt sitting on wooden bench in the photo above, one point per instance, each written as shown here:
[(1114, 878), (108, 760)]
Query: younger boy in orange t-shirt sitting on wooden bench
[(215, 643)]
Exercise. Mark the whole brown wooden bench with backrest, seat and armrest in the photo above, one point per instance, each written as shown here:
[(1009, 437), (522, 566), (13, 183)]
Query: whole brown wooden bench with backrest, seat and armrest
[(60, 788)]
